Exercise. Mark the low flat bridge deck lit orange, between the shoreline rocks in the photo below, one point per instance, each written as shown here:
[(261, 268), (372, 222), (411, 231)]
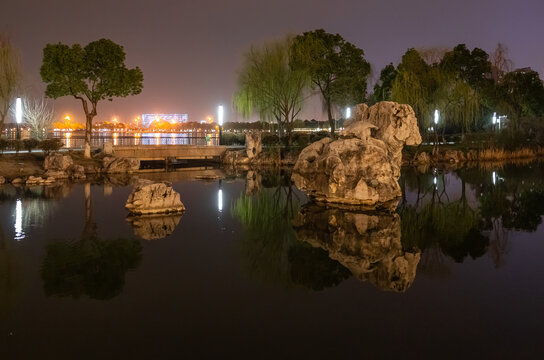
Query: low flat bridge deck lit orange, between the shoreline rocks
[(169, 152)]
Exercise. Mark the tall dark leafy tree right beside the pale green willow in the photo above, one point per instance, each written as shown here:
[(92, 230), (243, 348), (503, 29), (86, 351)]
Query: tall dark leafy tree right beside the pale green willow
[(337, 69)]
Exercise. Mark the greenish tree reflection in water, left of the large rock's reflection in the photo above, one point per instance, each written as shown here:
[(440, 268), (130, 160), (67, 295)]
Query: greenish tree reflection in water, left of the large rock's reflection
[(270, 249)]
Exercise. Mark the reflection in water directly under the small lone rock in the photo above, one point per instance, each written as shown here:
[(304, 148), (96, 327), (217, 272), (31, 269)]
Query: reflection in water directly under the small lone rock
[(154, 227)]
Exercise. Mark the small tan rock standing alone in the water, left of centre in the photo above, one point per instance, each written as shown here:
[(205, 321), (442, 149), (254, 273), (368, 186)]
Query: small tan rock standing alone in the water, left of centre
[(154, 198)]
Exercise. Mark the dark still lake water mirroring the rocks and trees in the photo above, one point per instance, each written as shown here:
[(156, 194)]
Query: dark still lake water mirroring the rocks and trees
[(253, 270)]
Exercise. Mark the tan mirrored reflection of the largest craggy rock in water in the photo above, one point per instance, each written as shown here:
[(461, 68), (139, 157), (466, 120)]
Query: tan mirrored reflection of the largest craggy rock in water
[(368, 244)]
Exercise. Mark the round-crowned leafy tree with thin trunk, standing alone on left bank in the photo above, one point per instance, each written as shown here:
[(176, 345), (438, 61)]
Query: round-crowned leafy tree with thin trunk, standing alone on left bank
[(89, 74)]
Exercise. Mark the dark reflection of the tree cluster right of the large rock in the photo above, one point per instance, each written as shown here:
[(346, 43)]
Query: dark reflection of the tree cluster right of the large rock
[(492, 202)]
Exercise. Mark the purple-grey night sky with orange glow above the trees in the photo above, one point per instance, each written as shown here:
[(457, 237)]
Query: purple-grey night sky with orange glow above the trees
[(191, 51)]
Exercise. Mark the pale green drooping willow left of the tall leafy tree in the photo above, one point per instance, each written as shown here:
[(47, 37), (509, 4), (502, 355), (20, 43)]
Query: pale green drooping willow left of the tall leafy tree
[(270, 87)]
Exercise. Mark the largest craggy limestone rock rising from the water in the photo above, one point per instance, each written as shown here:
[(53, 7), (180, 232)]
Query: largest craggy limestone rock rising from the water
[(362, 167)]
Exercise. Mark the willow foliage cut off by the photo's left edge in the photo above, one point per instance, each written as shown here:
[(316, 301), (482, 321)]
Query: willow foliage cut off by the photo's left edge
[(10, 76)]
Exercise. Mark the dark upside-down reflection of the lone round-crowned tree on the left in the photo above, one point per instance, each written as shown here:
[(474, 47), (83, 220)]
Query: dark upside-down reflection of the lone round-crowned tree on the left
[(89, 266)]
